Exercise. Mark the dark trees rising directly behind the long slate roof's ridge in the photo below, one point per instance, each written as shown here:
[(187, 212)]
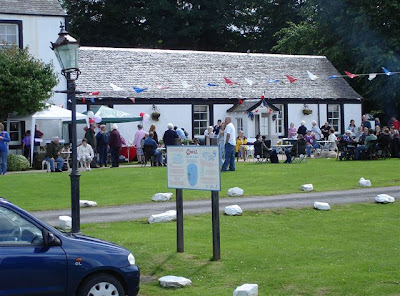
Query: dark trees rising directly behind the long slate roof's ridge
[(235, 25)]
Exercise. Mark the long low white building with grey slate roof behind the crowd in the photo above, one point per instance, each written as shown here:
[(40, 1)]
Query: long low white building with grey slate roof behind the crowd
[(188, 88)]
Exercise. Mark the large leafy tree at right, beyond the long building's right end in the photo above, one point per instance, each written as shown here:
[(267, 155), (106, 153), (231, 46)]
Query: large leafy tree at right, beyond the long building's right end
[(359, 35)]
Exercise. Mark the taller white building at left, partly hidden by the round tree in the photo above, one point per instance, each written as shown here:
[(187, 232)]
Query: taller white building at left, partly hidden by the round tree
[(33, 23)]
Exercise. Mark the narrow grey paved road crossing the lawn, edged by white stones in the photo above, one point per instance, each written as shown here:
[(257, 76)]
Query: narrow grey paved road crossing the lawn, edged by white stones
[(140, 211)]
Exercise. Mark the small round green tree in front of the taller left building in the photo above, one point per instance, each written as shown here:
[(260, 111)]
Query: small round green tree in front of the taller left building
[(25, 82)]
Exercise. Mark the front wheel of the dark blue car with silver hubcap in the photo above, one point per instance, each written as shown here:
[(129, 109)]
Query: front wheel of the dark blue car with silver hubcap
[(101, 285)]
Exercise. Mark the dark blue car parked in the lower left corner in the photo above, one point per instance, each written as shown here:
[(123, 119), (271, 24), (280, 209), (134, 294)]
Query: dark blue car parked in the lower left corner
[(37, 259)]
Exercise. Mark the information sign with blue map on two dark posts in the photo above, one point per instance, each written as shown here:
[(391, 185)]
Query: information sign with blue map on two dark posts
[(195, 168)]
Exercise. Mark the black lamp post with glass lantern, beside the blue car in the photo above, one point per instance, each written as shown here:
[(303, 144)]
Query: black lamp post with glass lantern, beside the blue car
[(66, 49)]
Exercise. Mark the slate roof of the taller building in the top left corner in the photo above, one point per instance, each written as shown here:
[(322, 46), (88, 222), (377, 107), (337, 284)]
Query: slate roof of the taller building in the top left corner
[(32, 7)]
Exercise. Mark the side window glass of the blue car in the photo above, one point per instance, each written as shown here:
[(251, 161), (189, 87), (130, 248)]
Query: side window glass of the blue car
[(15, 230)]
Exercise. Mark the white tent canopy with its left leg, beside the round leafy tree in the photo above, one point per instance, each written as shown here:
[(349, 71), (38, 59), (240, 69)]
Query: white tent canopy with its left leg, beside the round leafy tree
[(52, 112)]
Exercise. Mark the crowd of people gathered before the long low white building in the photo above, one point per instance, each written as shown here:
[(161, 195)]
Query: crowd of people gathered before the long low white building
[(355, 143)]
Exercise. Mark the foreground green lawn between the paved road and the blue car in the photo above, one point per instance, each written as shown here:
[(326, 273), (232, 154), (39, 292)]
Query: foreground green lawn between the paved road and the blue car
[(350, 250)]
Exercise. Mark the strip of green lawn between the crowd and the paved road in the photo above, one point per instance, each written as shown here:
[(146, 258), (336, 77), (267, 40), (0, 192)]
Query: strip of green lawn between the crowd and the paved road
[(128, 185)]
